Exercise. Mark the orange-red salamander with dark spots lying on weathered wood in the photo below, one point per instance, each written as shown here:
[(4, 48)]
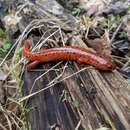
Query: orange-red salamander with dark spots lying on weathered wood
[(68, 53)]
